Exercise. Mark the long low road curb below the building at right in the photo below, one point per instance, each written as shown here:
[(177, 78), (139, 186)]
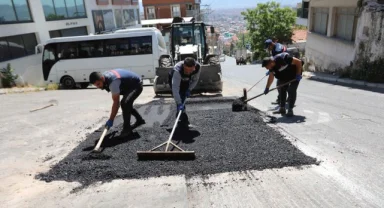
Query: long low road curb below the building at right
[(329, 78)]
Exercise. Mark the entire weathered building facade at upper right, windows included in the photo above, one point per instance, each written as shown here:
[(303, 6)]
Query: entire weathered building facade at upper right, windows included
[(343, 32)]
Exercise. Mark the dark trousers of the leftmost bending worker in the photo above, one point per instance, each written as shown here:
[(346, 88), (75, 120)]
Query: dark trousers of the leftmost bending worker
[(127, 106)]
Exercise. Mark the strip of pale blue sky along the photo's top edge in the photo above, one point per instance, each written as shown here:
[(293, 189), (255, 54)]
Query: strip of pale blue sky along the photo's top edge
[(226, 4)]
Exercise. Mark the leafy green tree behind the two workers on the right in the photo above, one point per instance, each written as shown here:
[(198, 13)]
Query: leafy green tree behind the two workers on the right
[(269, 20)]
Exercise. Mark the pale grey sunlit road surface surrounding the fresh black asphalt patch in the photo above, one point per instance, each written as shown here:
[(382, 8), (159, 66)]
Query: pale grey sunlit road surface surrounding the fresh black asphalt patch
[(339, 125)]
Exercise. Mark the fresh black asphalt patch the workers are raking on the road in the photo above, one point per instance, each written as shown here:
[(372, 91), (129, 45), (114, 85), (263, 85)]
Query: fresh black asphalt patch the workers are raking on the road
[(223, 141)]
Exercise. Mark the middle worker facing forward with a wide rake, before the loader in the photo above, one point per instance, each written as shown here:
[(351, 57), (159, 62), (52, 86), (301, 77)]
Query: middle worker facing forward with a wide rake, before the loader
[(182, 80)]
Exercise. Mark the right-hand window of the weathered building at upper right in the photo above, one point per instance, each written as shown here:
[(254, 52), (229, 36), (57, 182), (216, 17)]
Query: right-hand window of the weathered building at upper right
[(346, 22)]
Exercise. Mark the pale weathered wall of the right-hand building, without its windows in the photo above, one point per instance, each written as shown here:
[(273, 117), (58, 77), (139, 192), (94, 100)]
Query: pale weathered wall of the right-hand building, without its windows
[(326, 53)]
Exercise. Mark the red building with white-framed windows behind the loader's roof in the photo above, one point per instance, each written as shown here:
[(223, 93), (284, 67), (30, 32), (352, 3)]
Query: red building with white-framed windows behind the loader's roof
[(162, 9)]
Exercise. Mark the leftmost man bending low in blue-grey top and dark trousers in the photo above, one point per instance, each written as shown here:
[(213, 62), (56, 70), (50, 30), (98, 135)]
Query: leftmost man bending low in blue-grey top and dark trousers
[(125, 83)]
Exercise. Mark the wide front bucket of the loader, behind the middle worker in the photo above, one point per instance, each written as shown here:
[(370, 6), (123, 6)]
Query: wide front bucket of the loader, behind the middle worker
[(210, 80)]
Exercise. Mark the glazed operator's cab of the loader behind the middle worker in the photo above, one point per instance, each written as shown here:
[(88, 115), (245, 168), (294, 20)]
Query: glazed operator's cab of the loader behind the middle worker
[(188, 40)]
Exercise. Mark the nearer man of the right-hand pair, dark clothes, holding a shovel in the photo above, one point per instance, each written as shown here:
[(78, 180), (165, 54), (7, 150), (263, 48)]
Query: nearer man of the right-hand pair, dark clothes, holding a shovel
[(285, 68)]
